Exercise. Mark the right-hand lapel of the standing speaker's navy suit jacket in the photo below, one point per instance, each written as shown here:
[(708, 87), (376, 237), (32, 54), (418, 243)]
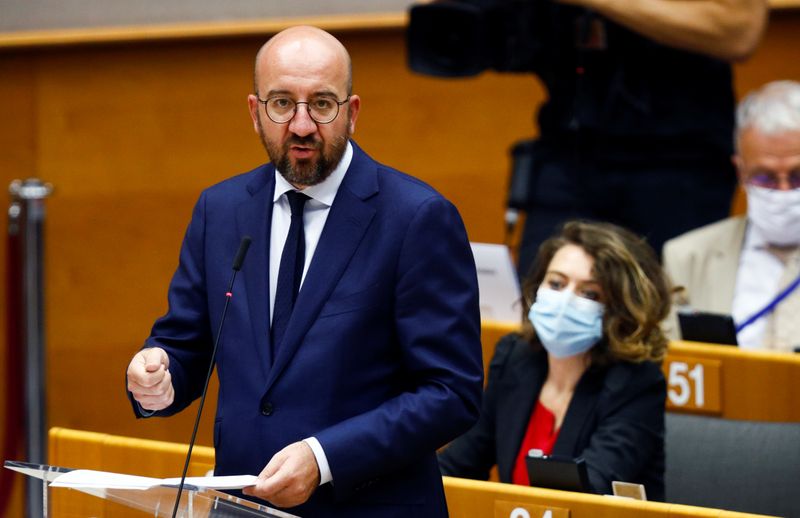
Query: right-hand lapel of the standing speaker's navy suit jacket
[(348, 219)]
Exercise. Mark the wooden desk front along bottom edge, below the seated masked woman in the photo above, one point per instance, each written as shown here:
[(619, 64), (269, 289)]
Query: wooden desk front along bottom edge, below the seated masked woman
[(472, 498)]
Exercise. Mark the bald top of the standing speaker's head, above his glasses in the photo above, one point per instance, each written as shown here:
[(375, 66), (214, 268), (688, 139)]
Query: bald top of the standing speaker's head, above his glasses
[(299, 44)]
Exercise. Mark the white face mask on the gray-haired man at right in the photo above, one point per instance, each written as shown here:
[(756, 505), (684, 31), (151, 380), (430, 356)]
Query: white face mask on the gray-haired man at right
[(775, 213)]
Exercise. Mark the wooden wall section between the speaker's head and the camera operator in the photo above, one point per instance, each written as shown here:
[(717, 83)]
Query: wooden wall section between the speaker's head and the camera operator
[(454, 134)]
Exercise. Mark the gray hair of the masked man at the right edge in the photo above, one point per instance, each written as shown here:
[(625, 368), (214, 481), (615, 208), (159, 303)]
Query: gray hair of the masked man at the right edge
[(773, 108)]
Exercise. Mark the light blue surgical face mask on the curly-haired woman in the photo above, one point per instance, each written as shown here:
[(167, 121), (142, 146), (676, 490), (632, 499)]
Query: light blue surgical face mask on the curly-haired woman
[(565, 323)]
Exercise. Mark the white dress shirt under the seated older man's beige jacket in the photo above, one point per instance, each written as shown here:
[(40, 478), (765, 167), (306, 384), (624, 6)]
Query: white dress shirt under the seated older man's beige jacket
[(757, 283)]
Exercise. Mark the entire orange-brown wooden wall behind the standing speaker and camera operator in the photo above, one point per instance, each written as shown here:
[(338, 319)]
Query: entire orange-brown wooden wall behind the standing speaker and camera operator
[(130, 133)]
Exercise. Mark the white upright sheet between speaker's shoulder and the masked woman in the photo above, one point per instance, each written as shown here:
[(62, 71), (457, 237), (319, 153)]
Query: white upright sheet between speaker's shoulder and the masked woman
[(497, 282)]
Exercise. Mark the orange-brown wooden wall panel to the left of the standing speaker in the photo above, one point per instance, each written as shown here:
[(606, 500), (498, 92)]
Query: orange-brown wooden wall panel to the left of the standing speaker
[(129, 138)]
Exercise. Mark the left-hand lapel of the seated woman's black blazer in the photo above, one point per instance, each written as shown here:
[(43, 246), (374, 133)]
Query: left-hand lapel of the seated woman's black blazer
[(517, 408)]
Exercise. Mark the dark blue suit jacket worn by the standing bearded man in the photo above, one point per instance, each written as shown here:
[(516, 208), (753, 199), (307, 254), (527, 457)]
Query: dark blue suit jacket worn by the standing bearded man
[(381, 360)]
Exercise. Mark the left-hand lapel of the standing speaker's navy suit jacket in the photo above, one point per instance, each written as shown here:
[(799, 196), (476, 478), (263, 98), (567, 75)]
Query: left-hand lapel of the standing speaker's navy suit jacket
[(252, 218)]
